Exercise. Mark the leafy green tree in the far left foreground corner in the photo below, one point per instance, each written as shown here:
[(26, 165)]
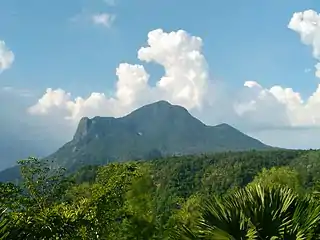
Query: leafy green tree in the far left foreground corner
[(33, 212)]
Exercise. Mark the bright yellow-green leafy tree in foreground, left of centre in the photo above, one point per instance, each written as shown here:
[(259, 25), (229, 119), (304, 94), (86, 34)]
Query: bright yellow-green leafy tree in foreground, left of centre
[(104, 211)]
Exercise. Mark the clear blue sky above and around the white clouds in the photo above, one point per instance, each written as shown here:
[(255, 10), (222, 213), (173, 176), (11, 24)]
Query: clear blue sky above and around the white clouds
[(242, 40)]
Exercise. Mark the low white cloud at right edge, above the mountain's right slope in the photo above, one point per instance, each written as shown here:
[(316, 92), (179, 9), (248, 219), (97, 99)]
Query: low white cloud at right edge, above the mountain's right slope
[(282, 107)]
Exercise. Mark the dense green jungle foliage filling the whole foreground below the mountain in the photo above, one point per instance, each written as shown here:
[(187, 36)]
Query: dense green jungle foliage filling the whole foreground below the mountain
[(243, 195)]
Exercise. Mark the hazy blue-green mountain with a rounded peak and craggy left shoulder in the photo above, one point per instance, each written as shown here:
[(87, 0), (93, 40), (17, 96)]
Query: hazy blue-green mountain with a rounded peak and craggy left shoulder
[(154, 130)]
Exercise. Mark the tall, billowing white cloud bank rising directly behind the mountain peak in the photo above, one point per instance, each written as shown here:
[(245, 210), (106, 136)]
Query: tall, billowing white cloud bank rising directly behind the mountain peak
[(185, 81)]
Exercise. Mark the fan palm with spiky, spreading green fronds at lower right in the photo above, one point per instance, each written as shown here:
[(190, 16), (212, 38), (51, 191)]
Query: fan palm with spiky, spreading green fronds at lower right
[(256, 212)]
